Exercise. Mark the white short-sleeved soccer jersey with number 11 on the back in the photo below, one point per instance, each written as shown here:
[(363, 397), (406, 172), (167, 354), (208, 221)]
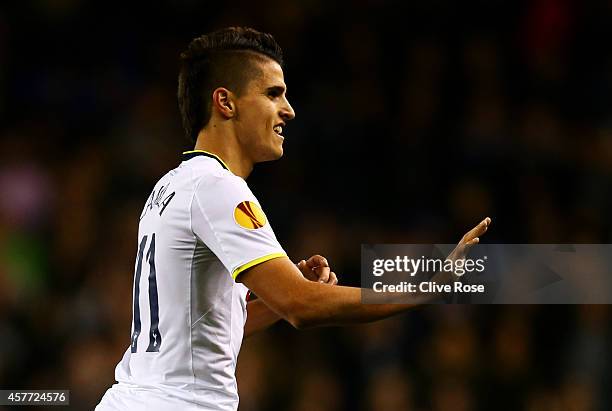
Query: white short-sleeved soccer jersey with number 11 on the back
[(200, 228)]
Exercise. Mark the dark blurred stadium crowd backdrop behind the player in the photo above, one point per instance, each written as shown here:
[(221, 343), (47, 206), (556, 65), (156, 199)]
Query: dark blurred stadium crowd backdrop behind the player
[(414, 121)]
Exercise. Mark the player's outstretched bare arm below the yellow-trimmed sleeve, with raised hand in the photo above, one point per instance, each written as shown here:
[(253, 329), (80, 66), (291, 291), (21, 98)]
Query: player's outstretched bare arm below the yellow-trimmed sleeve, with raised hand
[(304, 303)]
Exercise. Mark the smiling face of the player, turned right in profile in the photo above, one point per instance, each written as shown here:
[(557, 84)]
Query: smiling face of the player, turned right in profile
[(262, 112)]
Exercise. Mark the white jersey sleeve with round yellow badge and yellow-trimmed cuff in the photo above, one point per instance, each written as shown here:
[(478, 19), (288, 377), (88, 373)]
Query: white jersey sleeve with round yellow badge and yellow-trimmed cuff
[(226, 216)]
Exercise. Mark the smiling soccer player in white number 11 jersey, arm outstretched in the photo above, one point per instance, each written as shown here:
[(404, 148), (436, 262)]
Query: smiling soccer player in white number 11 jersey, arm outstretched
[(204, 240)]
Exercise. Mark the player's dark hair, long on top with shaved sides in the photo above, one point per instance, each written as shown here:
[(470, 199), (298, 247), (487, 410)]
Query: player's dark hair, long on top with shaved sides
[(224, 58)]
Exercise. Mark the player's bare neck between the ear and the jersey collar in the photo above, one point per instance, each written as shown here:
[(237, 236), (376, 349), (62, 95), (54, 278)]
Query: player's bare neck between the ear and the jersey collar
[(225, 145)]
